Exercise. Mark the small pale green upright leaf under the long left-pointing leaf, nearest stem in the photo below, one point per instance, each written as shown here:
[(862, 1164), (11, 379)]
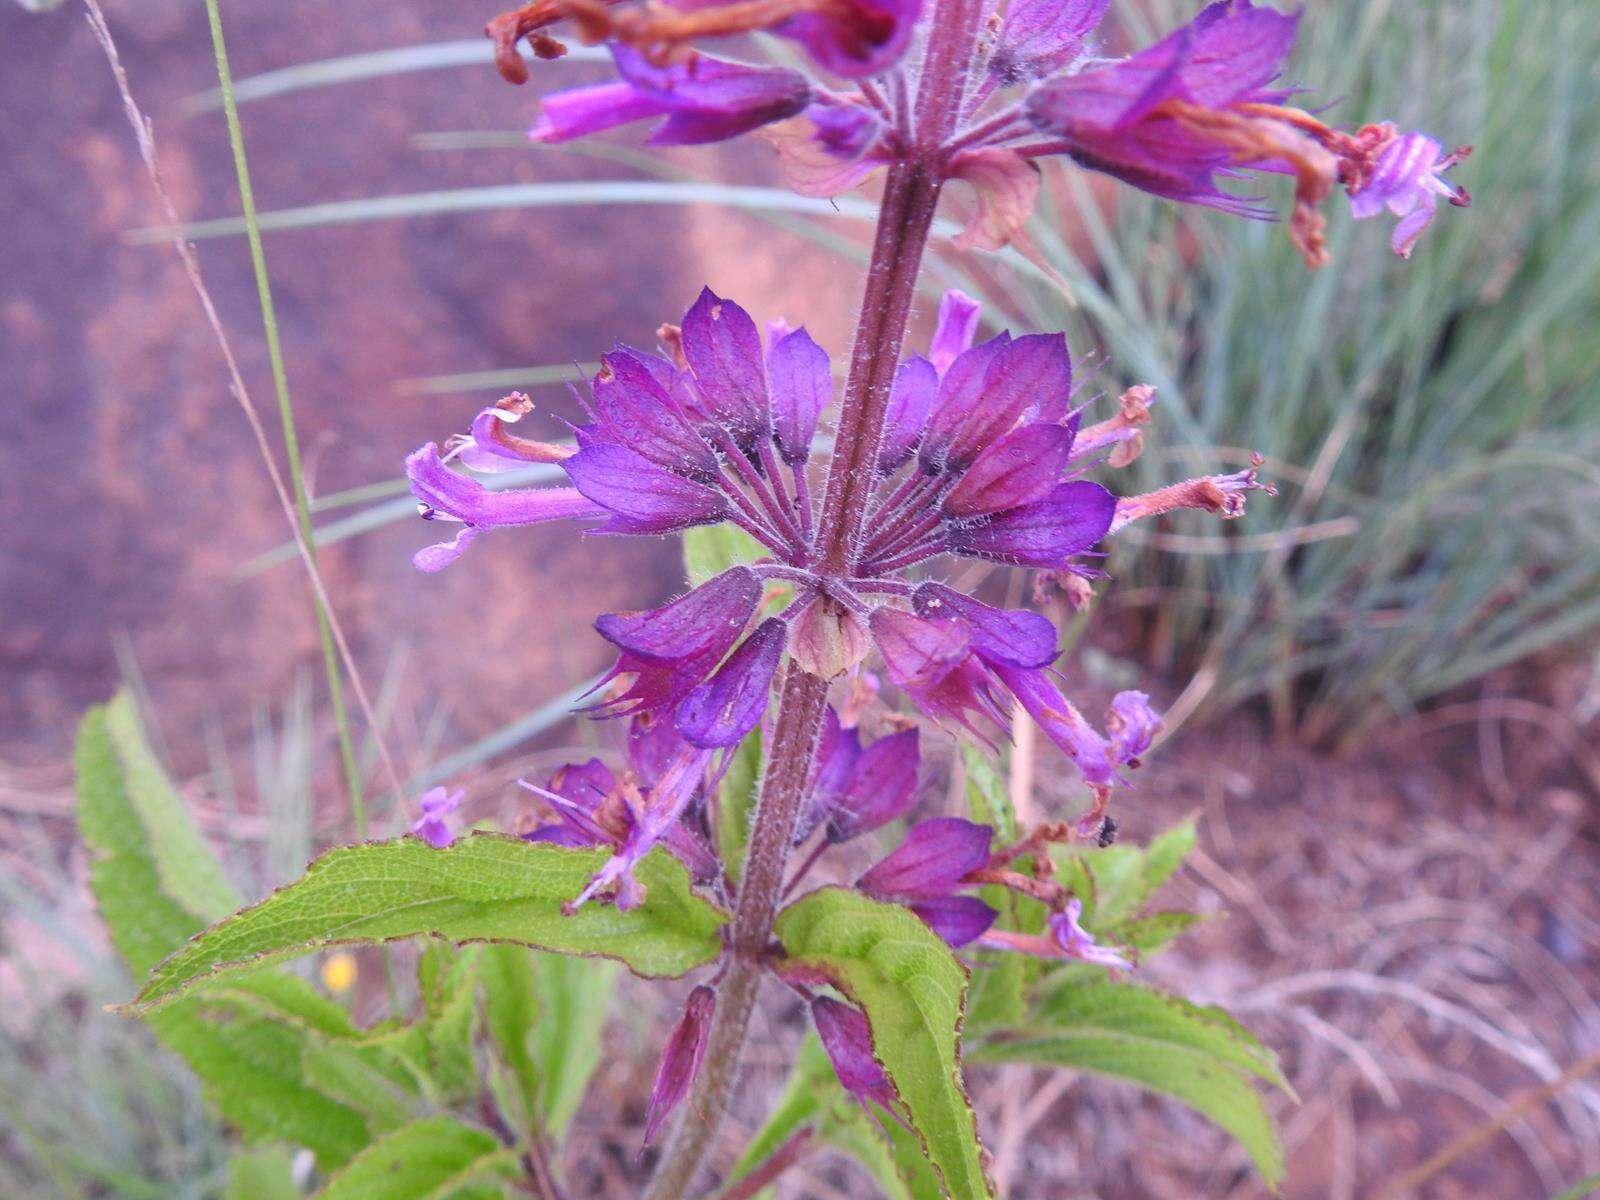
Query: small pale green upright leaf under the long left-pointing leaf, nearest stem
[(575, 1001)]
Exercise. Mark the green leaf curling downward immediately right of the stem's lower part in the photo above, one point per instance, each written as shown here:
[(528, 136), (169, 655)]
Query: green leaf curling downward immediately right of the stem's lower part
[(911, 990)]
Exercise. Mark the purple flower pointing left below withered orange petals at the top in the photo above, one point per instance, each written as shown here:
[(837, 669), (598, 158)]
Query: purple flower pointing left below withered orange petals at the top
[(703, 100)]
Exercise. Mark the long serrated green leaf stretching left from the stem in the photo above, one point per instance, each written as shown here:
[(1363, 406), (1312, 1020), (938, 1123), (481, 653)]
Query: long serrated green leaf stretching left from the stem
[(486, 887)]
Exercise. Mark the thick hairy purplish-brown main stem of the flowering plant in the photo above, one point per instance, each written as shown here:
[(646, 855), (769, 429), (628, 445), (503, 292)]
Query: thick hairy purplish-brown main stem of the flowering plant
[(905, 218)]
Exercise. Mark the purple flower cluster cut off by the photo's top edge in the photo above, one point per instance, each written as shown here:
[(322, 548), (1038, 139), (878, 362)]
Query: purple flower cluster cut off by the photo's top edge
[(1177, 119)]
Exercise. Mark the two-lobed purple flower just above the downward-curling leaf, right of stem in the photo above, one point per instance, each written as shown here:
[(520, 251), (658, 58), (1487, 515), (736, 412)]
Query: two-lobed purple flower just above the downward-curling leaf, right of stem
[(926, 873)]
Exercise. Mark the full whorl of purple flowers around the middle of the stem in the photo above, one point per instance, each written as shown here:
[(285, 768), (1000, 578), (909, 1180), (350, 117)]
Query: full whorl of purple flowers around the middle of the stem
[(982, 457)]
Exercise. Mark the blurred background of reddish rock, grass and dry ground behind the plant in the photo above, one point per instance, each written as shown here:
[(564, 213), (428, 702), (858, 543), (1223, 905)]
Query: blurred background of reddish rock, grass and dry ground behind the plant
[(1386, 681)]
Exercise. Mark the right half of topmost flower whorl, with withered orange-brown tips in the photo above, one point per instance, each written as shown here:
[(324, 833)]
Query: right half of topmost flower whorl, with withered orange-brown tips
[(1202, 106)]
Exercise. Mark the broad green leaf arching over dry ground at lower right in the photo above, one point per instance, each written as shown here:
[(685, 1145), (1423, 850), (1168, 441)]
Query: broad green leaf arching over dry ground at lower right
[(1196, 1055)]
